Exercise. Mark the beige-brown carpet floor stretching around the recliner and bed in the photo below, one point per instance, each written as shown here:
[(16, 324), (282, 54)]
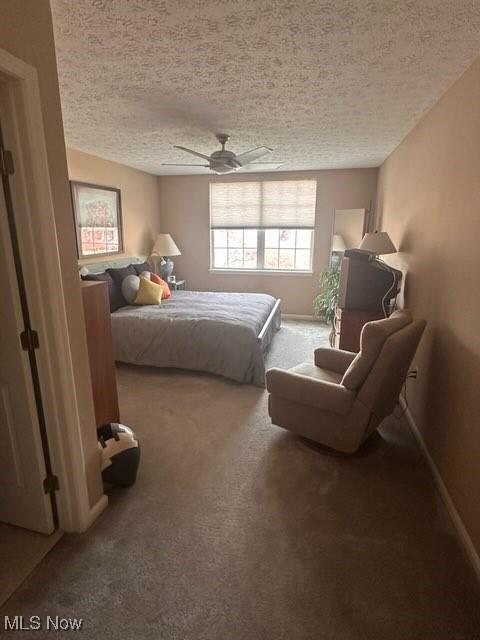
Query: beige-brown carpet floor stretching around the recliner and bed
[(238, 530)]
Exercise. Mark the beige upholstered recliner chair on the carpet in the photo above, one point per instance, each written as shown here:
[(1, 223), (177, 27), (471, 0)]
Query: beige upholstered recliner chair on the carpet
[(342, 398)]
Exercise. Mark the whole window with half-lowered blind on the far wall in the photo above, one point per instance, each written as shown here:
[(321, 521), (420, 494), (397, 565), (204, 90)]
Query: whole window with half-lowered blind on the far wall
[(265, 226)]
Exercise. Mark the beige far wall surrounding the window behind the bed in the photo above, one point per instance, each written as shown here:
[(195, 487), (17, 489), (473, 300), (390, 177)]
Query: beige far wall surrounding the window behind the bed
[(185, 215)]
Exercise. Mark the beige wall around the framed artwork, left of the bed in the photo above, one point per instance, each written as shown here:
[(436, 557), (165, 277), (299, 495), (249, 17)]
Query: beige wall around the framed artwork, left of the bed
[(140, 198)]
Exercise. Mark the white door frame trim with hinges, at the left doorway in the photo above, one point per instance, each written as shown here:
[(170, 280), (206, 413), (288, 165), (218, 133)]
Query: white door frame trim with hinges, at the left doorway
[(38, 237)]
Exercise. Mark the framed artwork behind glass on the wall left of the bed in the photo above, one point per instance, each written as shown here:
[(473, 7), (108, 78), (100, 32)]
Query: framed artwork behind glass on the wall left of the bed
[(98, 219)]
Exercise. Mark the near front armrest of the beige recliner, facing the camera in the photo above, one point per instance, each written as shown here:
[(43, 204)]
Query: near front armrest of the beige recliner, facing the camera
[(324, 395)]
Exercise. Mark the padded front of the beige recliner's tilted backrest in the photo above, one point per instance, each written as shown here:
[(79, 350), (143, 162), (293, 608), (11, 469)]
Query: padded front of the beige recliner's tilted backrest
[(372, 339)]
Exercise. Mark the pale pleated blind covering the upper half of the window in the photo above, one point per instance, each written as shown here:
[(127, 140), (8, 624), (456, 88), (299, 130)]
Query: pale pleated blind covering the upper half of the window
[(285, 204)]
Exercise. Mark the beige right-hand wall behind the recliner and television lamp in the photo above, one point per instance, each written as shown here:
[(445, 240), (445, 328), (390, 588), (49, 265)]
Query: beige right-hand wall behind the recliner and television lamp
[(429, 201)]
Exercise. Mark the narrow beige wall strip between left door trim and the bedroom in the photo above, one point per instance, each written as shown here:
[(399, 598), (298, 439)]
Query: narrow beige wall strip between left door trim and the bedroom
[(26, 32)]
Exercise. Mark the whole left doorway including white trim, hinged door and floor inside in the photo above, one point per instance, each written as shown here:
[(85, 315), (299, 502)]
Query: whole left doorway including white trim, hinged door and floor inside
[(24, 469)]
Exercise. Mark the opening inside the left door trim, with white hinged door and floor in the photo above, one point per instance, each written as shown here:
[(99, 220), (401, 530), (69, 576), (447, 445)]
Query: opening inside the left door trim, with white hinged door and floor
[(28, 512)]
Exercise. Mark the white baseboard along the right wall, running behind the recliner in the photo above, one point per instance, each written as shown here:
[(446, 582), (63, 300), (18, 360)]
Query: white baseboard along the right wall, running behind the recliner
[(462, 533)]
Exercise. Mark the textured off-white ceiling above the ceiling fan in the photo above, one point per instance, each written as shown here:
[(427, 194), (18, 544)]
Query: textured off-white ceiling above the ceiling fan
[(327, 84)]
